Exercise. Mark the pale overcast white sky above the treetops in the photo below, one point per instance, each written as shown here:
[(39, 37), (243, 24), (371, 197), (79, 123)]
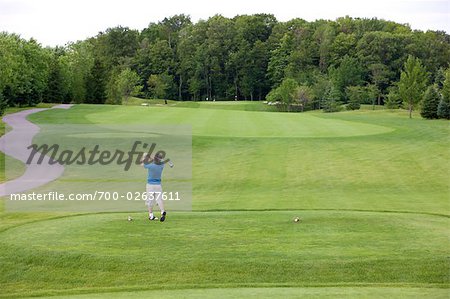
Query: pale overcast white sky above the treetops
[(56, 22)]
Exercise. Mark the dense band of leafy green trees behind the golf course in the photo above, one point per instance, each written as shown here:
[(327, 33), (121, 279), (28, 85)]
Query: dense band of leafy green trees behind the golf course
[(297, 64)]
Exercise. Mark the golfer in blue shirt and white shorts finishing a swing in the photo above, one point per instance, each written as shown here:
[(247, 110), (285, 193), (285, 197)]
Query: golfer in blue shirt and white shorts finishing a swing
[(153, 188)]
